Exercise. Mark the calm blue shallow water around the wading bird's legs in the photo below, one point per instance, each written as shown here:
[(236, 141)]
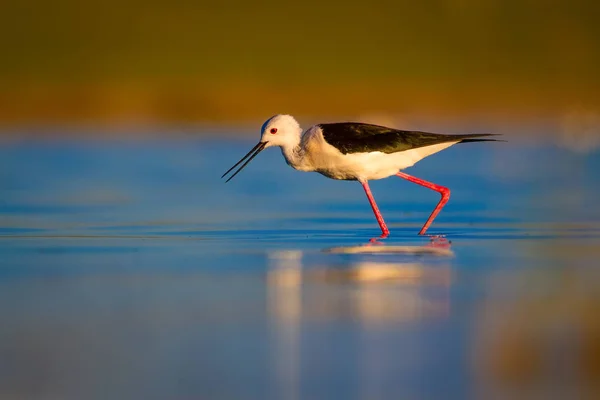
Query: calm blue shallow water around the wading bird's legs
[(128, 269)]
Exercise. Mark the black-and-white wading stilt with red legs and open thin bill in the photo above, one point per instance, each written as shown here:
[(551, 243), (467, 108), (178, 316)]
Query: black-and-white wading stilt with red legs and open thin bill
[(356, 151)]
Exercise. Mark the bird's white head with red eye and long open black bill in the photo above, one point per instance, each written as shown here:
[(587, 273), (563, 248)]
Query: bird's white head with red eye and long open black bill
[(280, 130)]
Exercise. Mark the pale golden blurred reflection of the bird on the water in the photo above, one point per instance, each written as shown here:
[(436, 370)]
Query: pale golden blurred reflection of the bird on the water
[(383, 281)]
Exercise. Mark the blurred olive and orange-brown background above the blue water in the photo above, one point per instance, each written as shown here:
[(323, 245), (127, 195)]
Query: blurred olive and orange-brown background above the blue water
[(180, 62)]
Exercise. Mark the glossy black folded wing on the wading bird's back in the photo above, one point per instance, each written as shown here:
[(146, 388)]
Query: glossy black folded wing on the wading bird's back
[(355, 137)]
